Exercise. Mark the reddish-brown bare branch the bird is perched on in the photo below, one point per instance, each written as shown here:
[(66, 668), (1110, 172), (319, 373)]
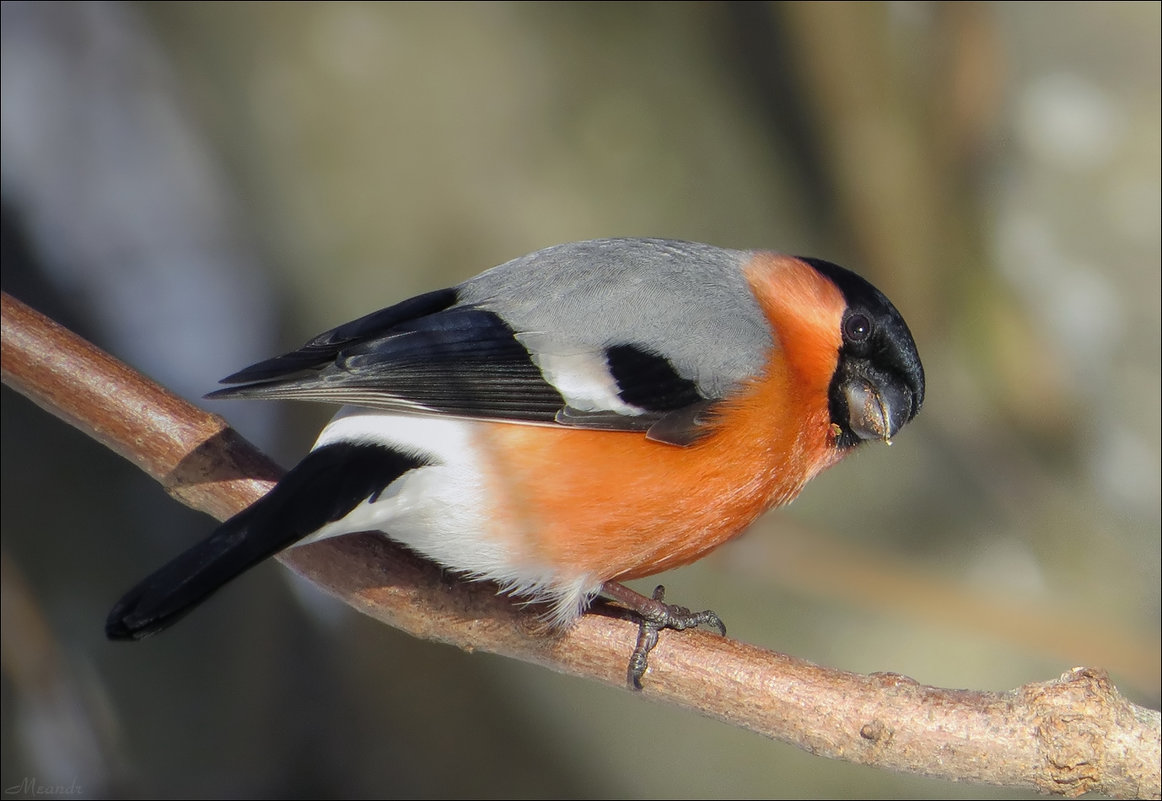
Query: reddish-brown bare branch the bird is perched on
[(1068, 736)]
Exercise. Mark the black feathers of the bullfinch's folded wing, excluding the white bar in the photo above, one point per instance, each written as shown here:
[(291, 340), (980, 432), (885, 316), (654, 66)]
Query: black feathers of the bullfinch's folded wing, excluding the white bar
[(432, 355)]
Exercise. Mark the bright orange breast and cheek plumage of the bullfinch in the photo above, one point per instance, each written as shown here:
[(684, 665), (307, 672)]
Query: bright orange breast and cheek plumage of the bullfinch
[(619, 506)]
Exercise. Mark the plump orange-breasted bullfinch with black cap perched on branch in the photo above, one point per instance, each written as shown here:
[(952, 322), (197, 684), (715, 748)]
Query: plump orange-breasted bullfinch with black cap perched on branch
[(576, 418)]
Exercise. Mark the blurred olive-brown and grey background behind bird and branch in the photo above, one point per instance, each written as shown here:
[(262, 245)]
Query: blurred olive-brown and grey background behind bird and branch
[(198, 187)]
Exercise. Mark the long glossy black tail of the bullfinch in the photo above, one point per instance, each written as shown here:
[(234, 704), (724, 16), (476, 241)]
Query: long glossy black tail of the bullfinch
[(322, 489)]
